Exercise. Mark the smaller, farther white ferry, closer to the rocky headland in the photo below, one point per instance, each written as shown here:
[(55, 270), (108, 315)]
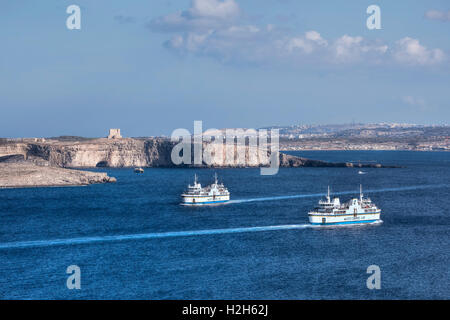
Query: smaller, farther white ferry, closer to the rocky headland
[(212, 194)]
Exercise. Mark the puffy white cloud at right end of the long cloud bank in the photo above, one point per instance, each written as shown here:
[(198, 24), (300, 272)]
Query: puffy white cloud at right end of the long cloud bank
[(410, 51)]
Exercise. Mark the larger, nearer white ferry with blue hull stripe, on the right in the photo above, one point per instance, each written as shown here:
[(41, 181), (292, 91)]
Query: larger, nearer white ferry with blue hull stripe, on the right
[(356, 211)]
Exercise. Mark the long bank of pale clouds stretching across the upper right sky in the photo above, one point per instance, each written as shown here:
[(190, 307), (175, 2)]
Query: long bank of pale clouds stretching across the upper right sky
[(217, 29)]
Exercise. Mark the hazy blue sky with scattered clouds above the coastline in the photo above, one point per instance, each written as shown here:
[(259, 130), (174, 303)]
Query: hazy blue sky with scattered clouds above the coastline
[(149, 67)]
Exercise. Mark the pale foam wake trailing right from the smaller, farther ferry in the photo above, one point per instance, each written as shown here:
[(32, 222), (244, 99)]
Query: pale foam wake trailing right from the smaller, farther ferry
[(314, 195)]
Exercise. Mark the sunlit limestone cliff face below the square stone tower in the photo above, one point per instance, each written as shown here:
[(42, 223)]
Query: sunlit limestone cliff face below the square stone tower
[(151, 152)]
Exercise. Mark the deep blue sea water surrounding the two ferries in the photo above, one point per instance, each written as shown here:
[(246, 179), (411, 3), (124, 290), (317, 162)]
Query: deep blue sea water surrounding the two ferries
[(132, 239)]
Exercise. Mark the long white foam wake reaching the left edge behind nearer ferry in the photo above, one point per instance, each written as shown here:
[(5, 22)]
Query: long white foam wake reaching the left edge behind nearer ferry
[(86, 240)]
